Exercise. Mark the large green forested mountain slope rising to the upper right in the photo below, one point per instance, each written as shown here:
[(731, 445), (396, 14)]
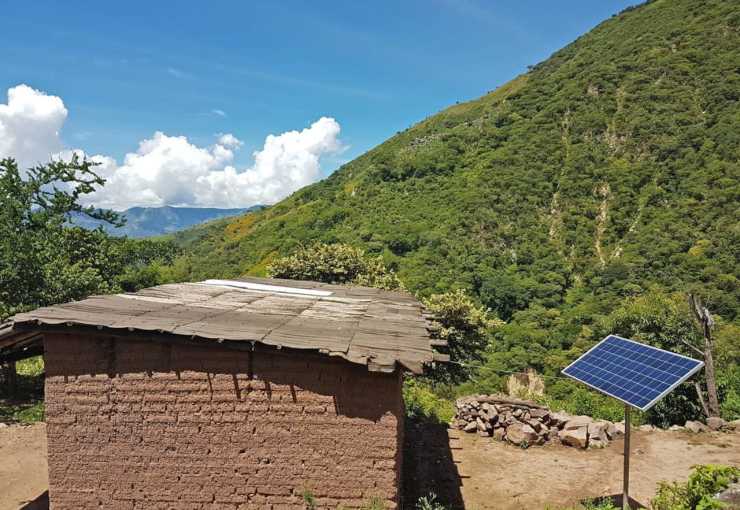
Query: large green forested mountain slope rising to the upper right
[(608, 171)]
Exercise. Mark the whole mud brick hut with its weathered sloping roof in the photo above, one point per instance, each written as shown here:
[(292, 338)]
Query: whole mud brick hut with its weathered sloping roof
[(226, 394)]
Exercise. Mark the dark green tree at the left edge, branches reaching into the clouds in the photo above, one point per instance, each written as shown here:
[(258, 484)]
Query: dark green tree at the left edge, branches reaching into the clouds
[(34, 232)]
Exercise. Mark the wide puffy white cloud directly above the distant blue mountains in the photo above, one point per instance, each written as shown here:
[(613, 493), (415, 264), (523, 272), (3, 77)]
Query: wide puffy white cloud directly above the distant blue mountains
[(170, 170)]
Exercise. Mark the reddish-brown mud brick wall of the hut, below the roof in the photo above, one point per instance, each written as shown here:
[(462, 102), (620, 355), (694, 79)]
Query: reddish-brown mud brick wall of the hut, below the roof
[(136, 424)]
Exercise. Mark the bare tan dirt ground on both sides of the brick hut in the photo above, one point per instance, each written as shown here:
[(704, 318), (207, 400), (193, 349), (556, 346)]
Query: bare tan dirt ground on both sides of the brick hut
[(493, 475)]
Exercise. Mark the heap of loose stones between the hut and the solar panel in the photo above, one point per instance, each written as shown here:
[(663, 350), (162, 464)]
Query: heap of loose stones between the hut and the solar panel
[(525, 423)]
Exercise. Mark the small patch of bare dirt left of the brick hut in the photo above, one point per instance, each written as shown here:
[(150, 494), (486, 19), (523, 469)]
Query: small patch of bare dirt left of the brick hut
[(23, 474)]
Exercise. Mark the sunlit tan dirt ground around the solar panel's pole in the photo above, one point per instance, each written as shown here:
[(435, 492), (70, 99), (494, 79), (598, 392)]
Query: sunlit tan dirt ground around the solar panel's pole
[(504, 477)]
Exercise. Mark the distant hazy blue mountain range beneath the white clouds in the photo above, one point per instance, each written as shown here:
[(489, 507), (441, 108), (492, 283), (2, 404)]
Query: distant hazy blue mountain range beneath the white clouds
[(153, 221)]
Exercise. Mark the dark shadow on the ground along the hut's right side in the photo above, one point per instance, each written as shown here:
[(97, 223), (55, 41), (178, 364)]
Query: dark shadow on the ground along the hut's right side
[(428, 466)]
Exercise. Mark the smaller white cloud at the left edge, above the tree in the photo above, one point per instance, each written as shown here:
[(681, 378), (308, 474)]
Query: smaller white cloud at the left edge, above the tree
[(29, 125)]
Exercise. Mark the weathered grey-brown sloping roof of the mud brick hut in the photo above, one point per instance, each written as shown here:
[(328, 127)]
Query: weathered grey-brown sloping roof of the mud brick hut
[(363, 325)]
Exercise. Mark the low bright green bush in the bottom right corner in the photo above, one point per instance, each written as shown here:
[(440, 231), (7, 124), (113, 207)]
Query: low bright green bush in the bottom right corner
[(698, 492)]
